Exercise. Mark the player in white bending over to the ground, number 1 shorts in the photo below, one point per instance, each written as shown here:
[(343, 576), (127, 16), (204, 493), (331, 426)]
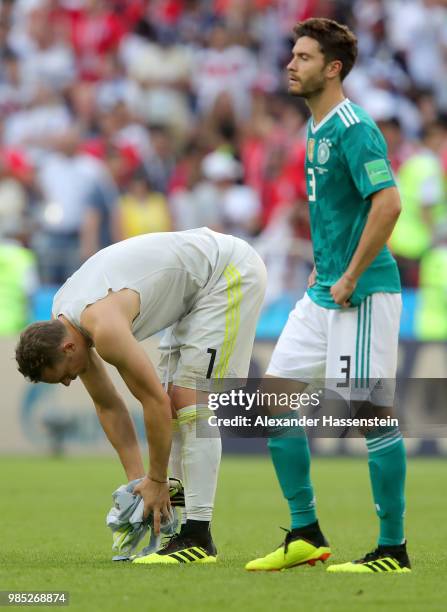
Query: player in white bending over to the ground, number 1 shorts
[(207, 289)]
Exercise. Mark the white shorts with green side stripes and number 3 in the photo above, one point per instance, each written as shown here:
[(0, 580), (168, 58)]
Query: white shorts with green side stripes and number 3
[(353, 350)]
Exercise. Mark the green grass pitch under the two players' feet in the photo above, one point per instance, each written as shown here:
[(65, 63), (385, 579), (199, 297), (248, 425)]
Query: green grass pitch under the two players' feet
[(54, 538)]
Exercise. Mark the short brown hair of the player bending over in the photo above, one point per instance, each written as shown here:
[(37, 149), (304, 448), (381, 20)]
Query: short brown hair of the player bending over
[(39, 347)]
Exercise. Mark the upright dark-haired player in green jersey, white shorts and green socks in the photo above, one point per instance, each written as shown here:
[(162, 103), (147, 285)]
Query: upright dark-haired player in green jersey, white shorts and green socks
[(346, 326)]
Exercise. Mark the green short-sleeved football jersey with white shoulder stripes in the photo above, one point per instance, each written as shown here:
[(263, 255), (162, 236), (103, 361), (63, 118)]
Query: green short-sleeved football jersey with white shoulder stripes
[(346, 162)]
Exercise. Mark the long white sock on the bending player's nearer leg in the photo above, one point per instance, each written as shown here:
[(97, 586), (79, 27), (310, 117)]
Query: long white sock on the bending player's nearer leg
[(201, 453)]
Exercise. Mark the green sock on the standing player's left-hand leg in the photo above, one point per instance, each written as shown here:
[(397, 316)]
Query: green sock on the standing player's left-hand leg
[(291, 458)]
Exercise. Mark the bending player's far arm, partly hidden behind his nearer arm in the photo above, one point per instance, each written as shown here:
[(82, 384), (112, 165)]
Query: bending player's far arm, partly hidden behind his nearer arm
[(113, 416)]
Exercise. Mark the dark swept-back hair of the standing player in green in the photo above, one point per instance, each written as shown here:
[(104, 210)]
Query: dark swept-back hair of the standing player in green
[(336, 41)]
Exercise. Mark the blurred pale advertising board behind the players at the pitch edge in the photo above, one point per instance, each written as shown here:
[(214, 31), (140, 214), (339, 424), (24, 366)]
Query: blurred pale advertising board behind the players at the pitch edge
[(37, 419)]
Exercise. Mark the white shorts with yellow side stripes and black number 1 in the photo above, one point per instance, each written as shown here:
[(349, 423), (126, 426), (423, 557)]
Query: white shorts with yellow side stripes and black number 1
[(214, 341)]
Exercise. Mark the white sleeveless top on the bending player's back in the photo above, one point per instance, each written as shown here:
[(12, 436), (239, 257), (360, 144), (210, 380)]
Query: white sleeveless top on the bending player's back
[(169, 271)]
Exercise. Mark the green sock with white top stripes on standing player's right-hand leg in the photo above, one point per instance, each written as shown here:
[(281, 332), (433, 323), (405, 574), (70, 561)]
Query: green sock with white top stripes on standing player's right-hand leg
[(387, 467)]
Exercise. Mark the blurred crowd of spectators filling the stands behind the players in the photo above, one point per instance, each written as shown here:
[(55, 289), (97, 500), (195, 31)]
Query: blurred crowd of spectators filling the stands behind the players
[(124, 117)]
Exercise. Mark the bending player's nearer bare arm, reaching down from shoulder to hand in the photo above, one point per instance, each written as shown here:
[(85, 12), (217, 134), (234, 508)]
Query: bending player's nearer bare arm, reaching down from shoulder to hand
[(116, 344)]
